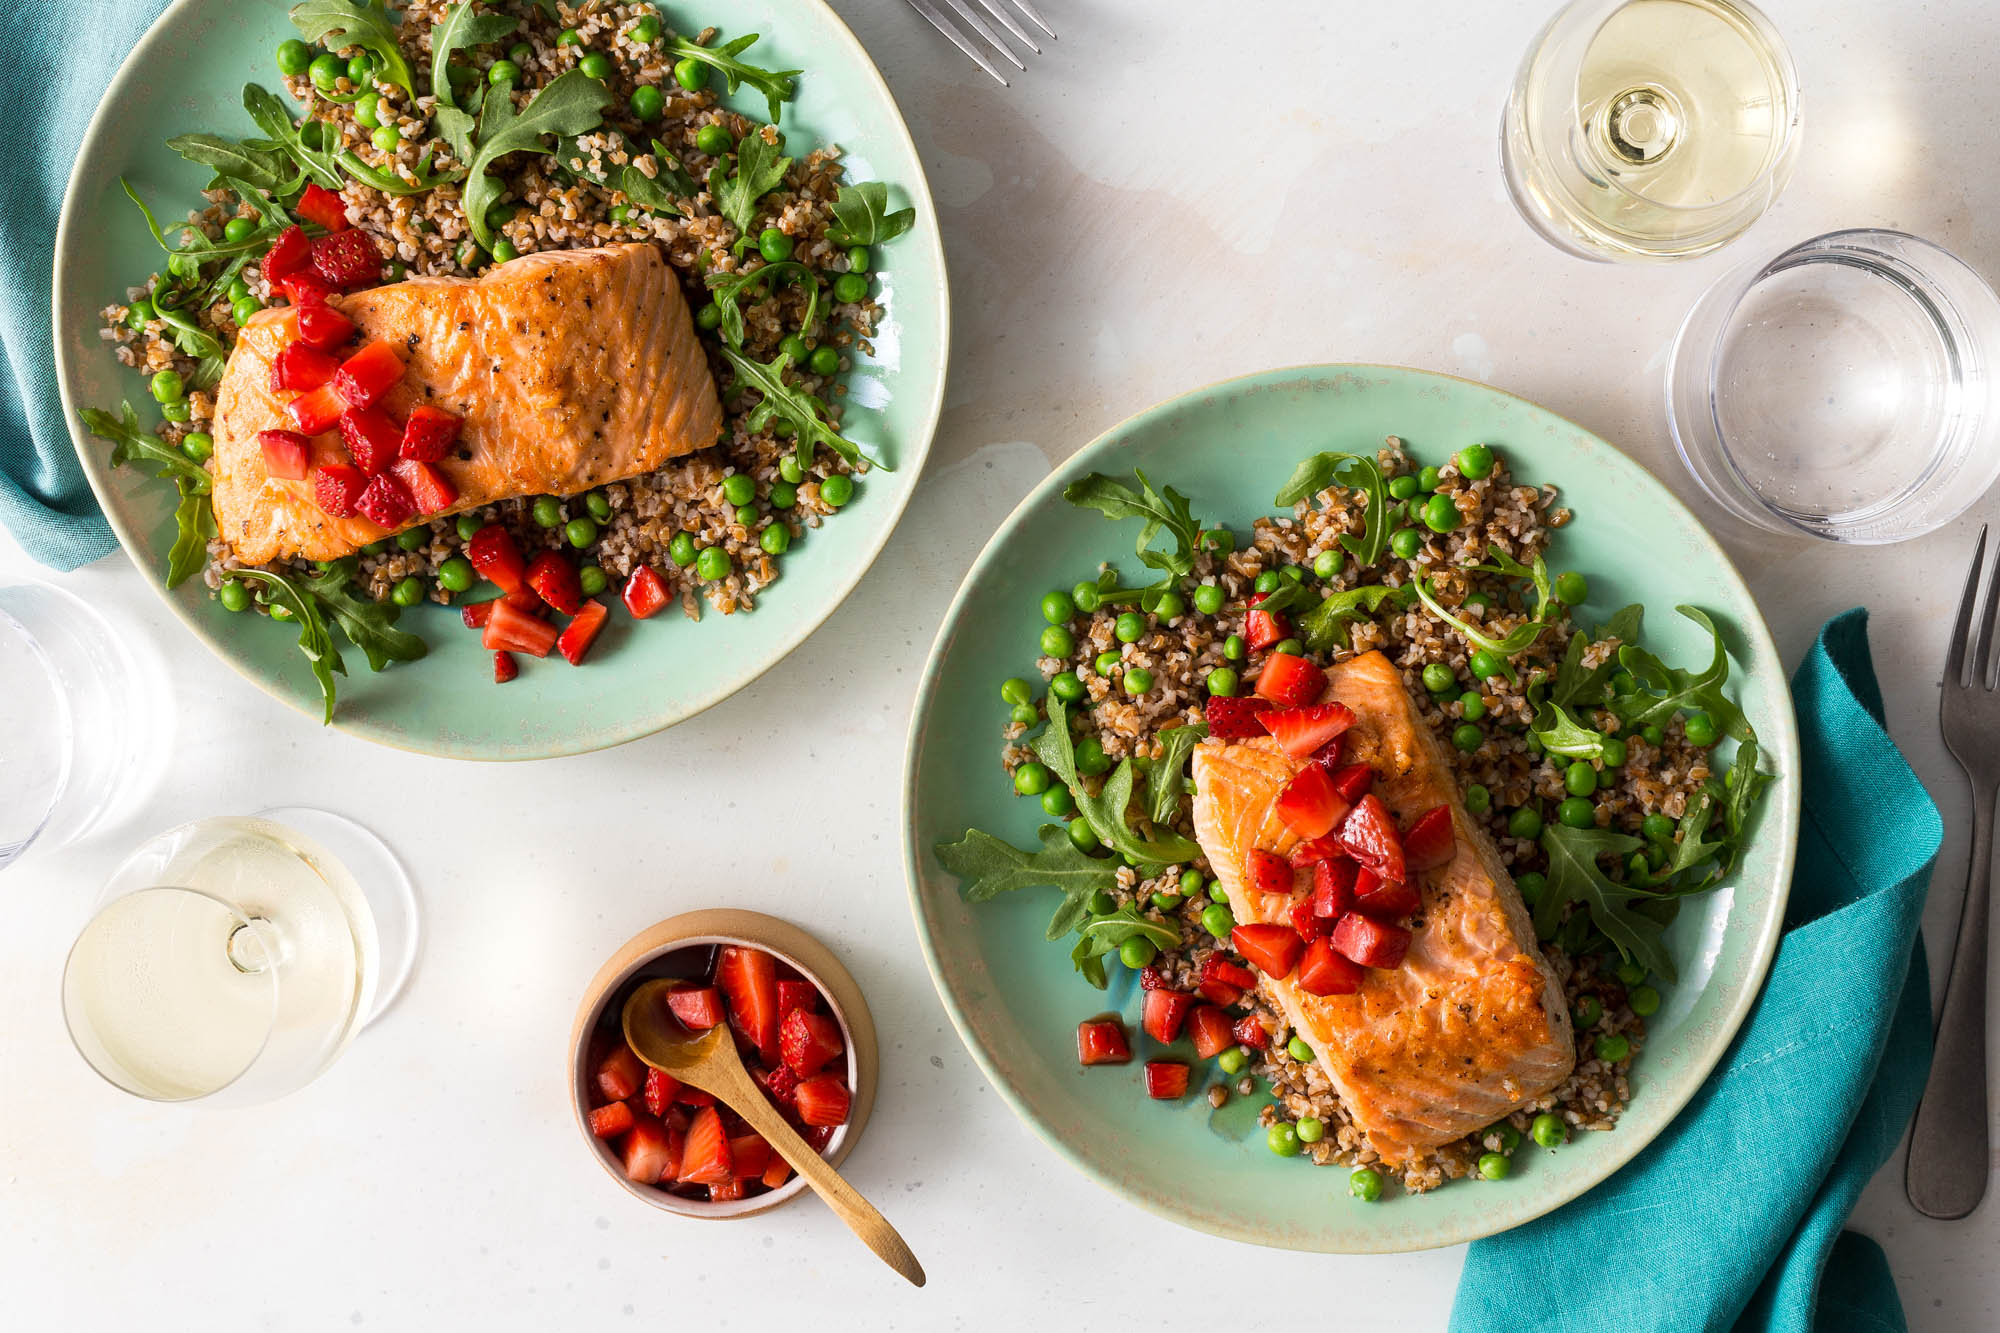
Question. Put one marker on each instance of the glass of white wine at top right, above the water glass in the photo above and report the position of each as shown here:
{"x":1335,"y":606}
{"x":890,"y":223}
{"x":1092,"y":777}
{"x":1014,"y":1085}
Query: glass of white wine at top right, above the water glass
{"x":1651,"y":129}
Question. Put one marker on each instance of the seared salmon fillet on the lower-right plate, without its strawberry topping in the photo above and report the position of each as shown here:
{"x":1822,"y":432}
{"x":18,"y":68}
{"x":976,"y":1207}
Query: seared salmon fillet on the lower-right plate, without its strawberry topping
{"x":1475,"y":1024}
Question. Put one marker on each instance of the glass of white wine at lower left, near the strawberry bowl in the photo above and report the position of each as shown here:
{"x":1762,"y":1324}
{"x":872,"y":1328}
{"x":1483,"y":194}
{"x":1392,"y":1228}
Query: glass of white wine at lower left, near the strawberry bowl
{"x":233,"y":960}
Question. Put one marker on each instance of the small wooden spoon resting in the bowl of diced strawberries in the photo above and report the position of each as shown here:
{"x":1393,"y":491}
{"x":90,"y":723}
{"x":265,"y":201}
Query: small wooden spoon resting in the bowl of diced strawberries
{"x":711,"y":1064}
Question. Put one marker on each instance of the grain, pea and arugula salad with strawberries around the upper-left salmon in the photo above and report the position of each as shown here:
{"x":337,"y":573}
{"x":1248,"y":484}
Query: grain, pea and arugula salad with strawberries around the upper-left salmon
{"x":455,"y":139}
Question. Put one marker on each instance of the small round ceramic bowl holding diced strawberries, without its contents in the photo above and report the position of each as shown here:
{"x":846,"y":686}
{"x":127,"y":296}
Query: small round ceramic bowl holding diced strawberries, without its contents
{"x":637,"y":962}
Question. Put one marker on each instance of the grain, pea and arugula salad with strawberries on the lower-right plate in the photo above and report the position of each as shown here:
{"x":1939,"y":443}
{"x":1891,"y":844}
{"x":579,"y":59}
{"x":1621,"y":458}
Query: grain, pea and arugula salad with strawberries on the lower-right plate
{"x":1599,"y":784}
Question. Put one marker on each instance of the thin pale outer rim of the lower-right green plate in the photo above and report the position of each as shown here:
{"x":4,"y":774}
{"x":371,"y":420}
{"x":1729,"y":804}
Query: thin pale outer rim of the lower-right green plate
{"x":1641,"y":1124}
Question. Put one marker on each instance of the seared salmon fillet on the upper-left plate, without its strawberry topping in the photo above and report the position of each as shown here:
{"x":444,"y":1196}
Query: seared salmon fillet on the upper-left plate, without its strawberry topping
{"x":571,"y":369}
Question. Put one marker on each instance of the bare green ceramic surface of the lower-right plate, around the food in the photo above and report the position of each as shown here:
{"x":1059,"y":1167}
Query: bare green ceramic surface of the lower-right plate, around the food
{"x":1015,"y":998}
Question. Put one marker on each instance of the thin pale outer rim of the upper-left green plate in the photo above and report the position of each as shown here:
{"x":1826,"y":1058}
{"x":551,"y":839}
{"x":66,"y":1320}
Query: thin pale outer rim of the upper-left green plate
{"x":915,"y":445}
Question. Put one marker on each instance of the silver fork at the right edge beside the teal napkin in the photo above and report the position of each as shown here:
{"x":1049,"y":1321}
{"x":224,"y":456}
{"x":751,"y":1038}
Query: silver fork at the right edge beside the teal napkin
{"x":1949,"y":1160}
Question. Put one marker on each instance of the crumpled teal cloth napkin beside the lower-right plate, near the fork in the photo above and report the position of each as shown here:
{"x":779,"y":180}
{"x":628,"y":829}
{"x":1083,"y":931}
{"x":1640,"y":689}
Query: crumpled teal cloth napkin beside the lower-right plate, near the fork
{"x":1733,"y":1218}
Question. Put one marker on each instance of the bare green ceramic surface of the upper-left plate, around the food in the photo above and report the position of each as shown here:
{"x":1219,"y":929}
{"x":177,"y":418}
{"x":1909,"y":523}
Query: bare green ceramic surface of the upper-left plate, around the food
{"x":187,"y":75}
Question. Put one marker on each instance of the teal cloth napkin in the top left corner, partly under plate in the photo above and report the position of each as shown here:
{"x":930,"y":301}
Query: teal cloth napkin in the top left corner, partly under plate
{"x":61,"y":57}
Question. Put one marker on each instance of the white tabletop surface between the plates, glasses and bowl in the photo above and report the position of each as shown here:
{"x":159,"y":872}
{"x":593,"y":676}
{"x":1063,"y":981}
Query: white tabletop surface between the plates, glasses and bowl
{"x":1149,"y":209}
